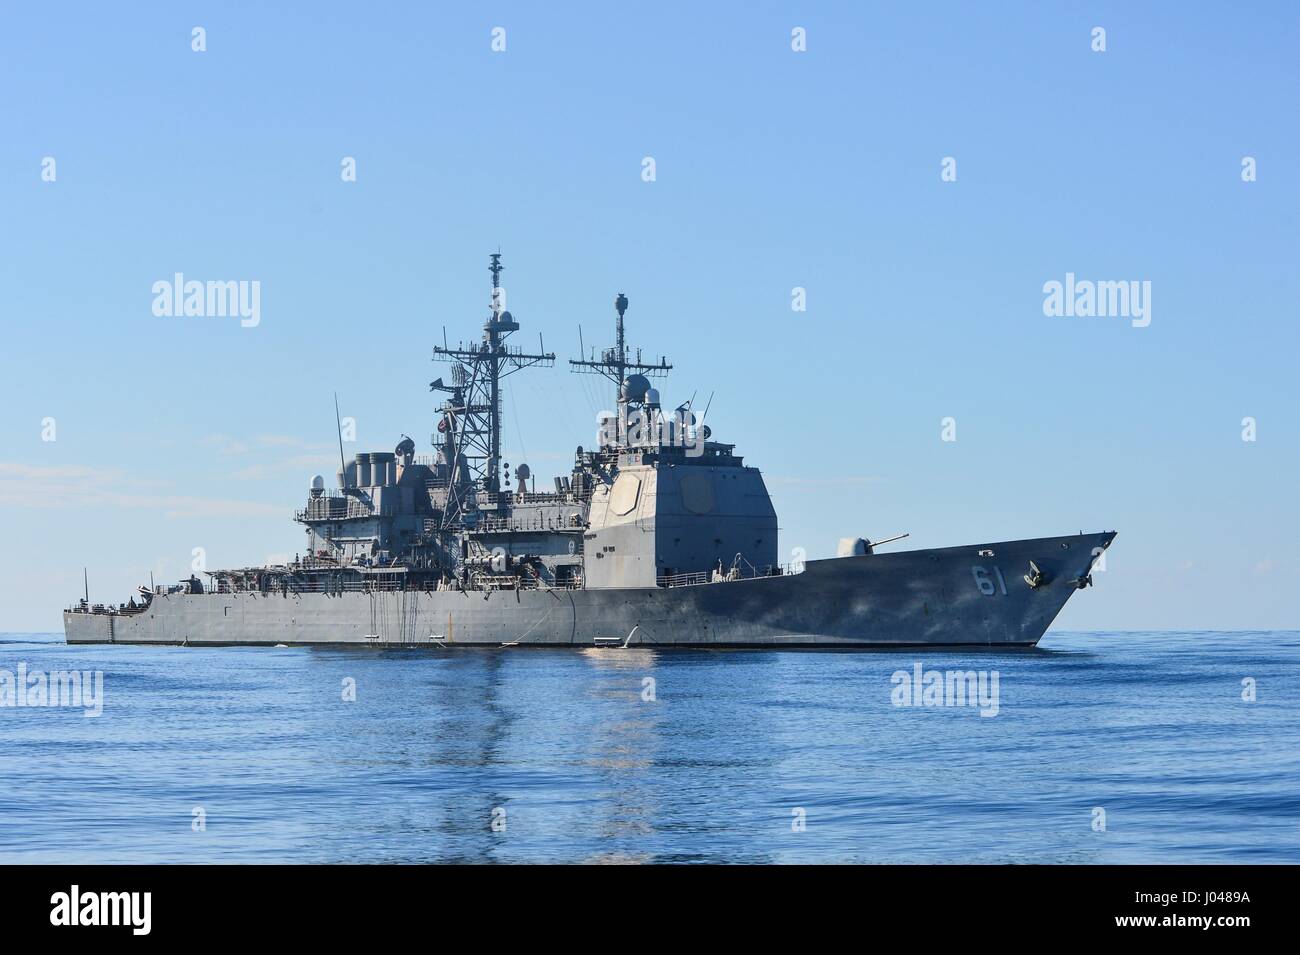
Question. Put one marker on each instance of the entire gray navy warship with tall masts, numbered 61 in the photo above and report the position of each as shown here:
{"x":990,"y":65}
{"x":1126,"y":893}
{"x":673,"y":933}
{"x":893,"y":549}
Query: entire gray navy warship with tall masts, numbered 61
{"x":657,"y":537}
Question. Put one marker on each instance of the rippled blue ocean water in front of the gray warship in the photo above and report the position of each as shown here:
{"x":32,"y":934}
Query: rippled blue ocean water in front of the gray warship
{"x":525,"y":756}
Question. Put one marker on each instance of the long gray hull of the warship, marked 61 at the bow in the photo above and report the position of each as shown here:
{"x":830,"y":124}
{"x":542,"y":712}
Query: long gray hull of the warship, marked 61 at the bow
{"x":974,"y":596}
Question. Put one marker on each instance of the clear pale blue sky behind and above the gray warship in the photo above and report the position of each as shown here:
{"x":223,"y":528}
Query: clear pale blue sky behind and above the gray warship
{"x":775,"y":170}
